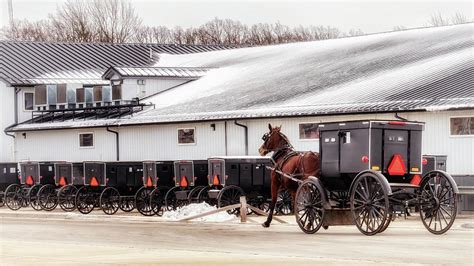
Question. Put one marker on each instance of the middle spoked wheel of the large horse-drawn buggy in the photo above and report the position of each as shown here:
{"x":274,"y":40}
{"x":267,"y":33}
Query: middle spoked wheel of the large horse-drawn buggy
{"x":369,"y":204}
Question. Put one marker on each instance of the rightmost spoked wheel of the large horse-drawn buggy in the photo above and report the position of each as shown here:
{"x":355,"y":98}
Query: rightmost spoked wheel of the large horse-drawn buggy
{"x":437,"y":202}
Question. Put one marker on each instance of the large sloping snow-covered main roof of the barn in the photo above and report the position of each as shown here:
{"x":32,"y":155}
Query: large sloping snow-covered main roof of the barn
{"x":422,"y":69}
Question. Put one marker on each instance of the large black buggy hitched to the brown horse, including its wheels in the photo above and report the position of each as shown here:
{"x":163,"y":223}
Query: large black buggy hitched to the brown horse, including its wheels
{"x":369,"y":171}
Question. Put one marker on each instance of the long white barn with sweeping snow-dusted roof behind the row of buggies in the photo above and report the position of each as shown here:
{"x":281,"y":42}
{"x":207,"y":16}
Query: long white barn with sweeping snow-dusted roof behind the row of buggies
{"x":220,"y":102}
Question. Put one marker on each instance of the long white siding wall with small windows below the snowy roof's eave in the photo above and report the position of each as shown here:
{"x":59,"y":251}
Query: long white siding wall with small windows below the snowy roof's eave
{"x":159,"y":142}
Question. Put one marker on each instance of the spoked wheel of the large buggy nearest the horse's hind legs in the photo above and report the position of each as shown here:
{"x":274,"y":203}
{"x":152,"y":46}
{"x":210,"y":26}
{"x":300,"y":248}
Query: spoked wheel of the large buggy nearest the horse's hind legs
{"x":309,"y":207}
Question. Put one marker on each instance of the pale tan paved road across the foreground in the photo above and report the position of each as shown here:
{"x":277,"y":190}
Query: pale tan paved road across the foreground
{"x":58,"y":238}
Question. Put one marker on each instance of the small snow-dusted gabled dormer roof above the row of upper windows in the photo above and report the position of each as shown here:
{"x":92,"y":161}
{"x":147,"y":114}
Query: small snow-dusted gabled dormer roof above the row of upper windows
{"x":169,"y":72}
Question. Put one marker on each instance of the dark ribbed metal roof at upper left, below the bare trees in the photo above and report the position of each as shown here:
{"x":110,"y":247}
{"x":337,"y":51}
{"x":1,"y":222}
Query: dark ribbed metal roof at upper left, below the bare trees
{"x":26,"y":62}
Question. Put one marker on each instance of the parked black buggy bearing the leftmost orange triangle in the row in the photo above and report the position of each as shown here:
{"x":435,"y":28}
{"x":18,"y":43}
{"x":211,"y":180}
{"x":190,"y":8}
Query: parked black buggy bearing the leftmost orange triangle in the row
{"x":33,"y":175}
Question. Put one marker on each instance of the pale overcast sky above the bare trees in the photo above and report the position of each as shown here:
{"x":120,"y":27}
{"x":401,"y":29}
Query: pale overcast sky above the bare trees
{"x":369,"y":16}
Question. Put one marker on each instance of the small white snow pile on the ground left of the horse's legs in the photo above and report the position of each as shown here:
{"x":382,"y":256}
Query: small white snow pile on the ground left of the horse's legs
{"x":198,"y":208}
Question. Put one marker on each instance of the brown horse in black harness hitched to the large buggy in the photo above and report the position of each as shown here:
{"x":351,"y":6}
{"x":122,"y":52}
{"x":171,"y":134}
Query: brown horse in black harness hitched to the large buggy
{"x":298,"y":164}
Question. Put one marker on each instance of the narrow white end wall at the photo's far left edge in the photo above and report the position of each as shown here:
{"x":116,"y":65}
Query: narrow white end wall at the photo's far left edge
{"x":7,"y":118}
